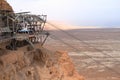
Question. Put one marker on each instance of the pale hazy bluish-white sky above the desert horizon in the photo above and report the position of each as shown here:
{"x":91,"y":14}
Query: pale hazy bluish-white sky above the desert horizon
{"x":77,"y":12}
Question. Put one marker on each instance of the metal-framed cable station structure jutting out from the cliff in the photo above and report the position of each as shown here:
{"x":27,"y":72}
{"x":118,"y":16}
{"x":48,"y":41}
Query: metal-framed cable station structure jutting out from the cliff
{"x":22,"y":28}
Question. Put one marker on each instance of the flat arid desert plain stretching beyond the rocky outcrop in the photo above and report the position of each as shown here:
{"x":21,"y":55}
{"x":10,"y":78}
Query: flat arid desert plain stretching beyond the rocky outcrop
{"x":95,"y":52}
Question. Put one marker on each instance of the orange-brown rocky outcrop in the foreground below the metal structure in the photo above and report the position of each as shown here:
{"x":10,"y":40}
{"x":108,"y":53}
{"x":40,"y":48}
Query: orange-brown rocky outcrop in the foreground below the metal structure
{"x":39,"y":64}
